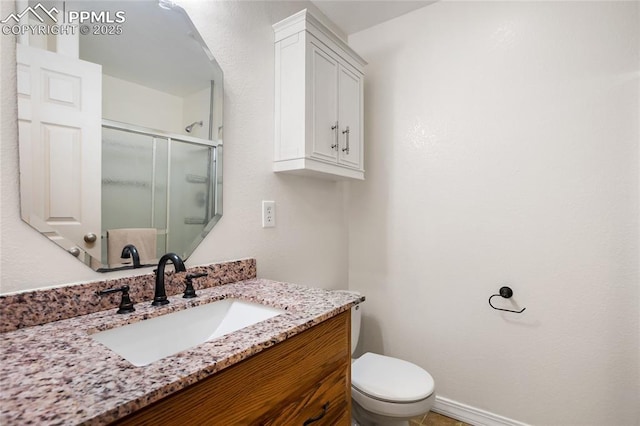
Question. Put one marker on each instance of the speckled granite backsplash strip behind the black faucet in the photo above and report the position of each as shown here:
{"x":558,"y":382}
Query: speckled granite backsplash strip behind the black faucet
{"x":44,"y":306}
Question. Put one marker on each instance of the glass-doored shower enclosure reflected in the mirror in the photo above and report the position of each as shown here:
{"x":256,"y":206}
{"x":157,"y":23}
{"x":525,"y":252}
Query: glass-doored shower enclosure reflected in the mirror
{"x":152,"y":179}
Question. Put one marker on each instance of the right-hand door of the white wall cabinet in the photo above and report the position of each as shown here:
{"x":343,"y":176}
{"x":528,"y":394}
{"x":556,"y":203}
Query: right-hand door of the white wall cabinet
{"x":350,"y":119}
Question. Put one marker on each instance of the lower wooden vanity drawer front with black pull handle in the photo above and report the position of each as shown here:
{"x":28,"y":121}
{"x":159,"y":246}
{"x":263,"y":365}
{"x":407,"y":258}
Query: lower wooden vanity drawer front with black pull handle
{"x":326,"y":403}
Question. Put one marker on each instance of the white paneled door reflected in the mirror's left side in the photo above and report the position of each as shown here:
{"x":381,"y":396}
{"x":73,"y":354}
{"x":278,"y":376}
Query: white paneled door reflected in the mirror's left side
{"x":59,"y":110}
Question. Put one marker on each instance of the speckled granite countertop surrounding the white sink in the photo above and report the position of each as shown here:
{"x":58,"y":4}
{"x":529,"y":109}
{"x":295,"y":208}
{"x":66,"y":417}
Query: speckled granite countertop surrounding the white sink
{"x":56,"y":374}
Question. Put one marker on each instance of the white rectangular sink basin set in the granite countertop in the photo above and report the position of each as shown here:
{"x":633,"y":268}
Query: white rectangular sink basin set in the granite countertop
{"x":144,"y":342}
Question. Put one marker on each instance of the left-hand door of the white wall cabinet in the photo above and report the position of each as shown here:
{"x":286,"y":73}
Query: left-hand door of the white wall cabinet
{"x":324,"y":95}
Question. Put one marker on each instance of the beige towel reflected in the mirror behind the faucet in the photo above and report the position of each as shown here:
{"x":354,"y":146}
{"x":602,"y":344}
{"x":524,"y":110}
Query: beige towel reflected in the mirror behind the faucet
{"x":143,"y":238}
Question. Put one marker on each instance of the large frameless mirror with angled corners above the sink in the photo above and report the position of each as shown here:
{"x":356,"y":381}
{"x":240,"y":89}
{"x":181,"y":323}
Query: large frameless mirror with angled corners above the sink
{"x":120,"y":129}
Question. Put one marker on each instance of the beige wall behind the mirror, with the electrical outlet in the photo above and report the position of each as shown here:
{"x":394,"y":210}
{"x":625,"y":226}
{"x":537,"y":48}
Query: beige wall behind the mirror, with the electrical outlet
{"x":309,"y":244}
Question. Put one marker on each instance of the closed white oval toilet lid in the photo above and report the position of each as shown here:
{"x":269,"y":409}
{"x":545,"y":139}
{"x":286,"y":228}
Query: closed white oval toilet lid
{"x":390,"y":379}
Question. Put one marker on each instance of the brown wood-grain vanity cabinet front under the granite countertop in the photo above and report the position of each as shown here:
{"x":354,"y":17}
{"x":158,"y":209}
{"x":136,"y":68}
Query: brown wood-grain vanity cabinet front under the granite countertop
{"x":288,"y":384}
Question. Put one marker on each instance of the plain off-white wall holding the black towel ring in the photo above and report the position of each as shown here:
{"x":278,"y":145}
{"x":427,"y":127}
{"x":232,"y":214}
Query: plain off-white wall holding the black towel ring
{"x":502,"y":148}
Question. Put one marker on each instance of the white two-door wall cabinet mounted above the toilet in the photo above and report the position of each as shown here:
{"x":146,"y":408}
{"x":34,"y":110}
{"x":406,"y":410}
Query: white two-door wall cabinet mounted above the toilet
{"x":319,"y":101}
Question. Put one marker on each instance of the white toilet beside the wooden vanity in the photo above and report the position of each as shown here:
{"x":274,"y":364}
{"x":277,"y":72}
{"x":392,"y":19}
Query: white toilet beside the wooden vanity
{"x":385,"y":390}
